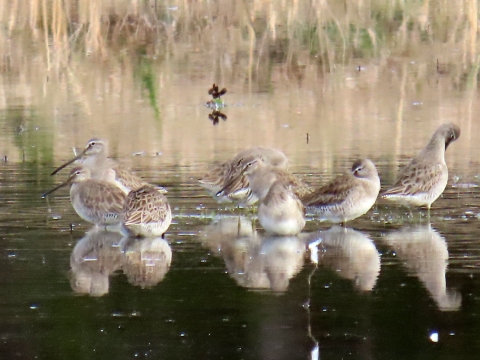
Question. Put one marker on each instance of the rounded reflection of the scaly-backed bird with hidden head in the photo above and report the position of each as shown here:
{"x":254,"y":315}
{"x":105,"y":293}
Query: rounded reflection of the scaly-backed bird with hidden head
{"x":146,"y":261}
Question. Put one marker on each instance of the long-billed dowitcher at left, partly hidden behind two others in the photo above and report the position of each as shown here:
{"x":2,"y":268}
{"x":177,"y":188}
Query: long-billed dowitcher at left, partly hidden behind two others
{"x":95,"y":158}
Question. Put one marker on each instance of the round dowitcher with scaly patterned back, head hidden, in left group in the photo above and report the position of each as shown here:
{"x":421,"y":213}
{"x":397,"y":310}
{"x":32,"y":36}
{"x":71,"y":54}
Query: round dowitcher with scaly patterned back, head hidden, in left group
{"x":147,"y":212}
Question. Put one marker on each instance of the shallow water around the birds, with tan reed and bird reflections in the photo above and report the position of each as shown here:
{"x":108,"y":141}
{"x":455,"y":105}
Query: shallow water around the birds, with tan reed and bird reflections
{"x":393,"y":285}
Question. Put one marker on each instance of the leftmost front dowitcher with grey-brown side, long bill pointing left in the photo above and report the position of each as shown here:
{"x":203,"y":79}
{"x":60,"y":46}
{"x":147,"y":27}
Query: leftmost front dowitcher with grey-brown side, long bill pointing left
{"x":96,"y":201}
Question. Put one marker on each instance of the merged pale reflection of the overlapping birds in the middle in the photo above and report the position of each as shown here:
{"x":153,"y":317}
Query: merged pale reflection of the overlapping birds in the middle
{"x":254,"y":262}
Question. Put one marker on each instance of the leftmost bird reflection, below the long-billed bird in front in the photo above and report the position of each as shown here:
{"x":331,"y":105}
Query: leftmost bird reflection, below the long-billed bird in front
{"x":93,"y":259}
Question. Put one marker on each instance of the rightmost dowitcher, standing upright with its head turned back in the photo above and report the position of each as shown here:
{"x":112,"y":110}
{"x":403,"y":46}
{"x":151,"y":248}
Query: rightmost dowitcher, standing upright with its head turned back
{"x":425,"y":177}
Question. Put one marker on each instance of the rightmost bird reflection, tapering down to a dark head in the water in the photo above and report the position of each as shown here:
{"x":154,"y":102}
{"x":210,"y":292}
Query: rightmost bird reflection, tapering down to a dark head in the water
{"x":424,"y":253}
